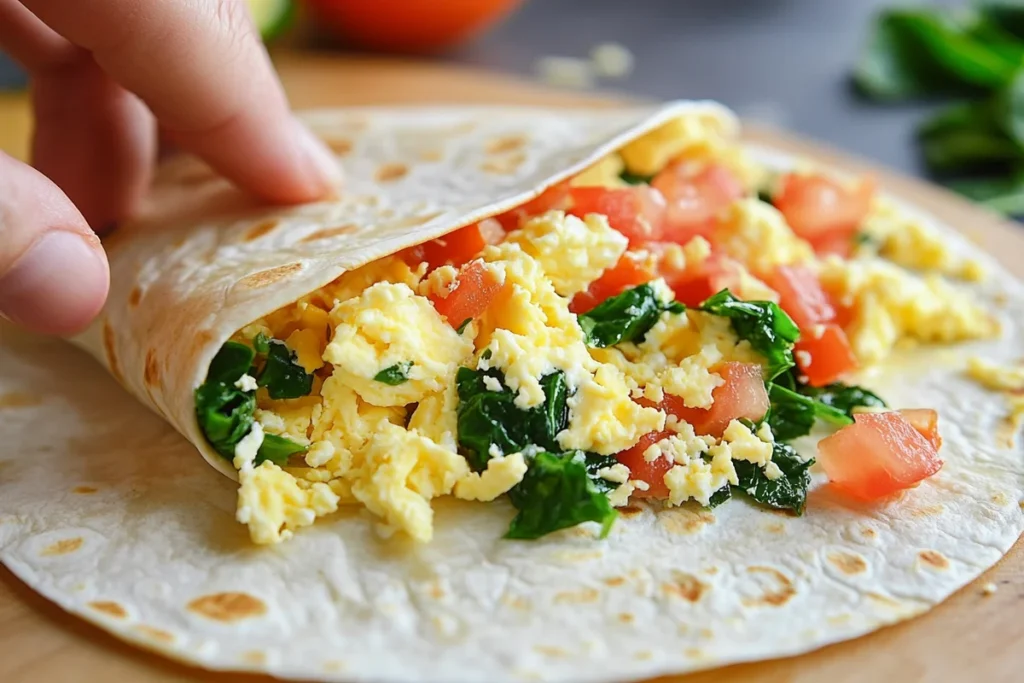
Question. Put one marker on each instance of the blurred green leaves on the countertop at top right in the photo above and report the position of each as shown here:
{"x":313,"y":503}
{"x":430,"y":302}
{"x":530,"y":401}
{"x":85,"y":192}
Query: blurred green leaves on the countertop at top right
{"x":975,"y":55}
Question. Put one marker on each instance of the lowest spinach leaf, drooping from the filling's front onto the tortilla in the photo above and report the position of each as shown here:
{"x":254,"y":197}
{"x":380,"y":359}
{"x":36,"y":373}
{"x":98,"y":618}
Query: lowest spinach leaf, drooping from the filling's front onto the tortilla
{"x":558,"y":493}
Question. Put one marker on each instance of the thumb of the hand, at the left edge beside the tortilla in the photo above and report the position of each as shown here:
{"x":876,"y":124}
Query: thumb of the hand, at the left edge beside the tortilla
{"x":54,"y":273}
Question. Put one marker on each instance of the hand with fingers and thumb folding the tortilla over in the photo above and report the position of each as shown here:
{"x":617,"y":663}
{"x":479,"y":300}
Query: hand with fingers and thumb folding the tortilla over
{"x":105,"y":75}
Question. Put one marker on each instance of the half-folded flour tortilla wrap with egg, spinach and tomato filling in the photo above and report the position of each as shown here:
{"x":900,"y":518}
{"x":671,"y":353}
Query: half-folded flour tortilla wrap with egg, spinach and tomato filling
{"x":561,"y":395}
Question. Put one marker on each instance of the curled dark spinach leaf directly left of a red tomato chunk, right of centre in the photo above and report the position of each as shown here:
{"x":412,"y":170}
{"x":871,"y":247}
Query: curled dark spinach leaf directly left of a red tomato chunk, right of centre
{"x":763,"y":324}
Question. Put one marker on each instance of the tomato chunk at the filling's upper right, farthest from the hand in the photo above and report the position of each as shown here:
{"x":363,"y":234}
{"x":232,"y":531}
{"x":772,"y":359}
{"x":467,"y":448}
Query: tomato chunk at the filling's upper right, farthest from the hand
{"x":823,"y":210}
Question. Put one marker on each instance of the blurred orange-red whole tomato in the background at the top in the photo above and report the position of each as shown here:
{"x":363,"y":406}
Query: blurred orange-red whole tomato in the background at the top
{"x":409,"y":26}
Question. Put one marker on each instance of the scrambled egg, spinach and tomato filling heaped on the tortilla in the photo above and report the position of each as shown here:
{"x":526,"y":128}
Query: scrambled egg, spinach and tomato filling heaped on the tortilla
{"x":589,"y":356}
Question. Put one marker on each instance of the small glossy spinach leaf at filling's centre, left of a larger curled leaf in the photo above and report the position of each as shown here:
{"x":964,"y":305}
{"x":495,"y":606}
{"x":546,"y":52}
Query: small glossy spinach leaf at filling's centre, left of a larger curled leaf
{"x":625,"y":318}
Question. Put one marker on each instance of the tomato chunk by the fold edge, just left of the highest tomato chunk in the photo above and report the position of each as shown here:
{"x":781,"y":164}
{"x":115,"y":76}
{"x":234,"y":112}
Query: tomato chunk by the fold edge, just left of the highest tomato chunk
{"x":636,"y":212}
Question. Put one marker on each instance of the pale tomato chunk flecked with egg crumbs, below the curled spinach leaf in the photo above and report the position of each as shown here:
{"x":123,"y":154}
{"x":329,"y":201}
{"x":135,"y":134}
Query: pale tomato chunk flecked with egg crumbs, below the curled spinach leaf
{"x":742,"y":397}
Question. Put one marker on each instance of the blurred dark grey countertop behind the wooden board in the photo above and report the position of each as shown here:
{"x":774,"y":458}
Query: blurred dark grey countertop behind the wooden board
{"x":784,"y":62}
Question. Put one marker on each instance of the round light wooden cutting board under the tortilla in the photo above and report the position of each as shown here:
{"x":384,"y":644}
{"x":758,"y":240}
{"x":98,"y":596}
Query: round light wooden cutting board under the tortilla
{"x":971,"y":636}
